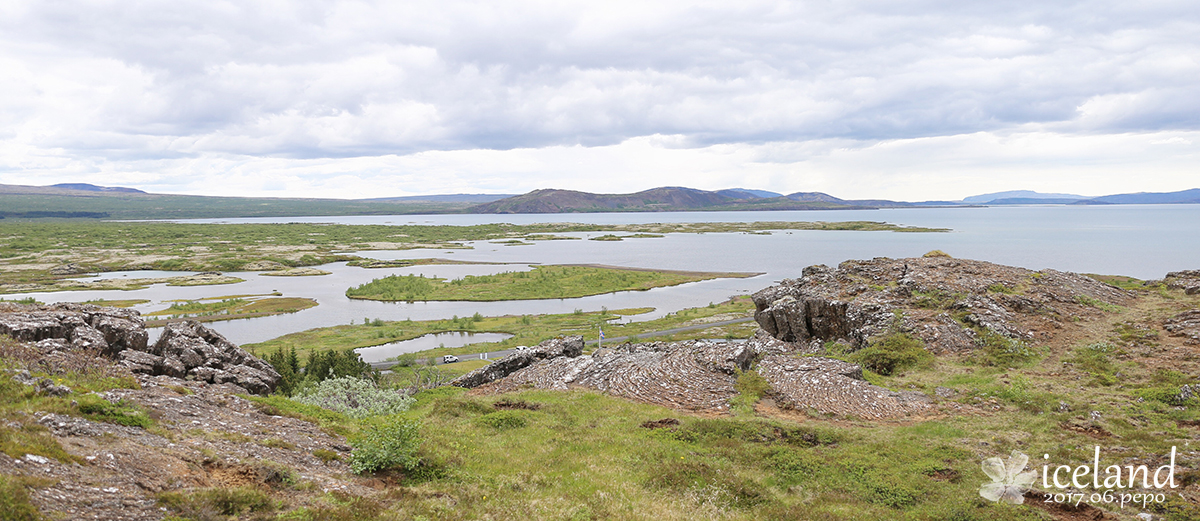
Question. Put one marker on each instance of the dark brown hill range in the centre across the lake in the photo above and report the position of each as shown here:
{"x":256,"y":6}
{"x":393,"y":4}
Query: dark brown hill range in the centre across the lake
{"x":668,"y":199}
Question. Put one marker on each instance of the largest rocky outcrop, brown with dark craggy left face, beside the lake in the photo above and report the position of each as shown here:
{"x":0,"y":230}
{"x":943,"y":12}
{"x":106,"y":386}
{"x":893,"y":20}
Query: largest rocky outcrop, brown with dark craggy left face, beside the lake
{"x":947,"y":303}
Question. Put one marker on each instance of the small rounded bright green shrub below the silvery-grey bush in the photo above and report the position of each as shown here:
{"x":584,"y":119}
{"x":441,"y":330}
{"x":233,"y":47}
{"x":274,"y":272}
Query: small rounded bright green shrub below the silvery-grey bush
{"x":387,"y":444}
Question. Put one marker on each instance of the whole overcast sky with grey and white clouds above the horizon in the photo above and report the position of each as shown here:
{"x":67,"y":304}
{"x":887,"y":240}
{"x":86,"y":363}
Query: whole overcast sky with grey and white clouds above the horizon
{"x":914,"y":100}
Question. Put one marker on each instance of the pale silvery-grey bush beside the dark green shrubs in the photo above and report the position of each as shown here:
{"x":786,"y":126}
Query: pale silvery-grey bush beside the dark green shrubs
{"x":356,"y":398}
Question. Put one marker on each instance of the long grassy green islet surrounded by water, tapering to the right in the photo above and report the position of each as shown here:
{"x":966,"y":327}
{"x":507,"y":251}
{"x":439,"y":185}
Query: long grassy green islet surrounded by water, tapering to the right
{"x":544,"y":283}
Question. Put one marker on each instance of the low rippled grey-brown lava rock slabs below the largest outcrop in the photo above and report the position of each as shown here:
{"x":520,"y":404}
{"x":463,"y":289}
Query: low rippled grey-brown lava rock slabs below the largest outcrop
{"x":701,"y":376}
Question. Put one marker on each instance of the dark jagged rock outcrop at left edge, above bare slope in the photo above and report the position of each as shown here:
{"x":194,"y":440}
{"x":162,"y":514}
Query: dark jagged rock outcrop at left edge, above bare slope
{"x":185,"y":350}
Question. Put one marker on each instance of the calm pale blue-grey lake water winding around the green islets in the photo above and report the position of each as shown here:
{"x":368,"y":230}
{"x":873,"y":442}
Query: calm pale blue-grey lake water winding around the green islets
{"x":1144,"y":242}
